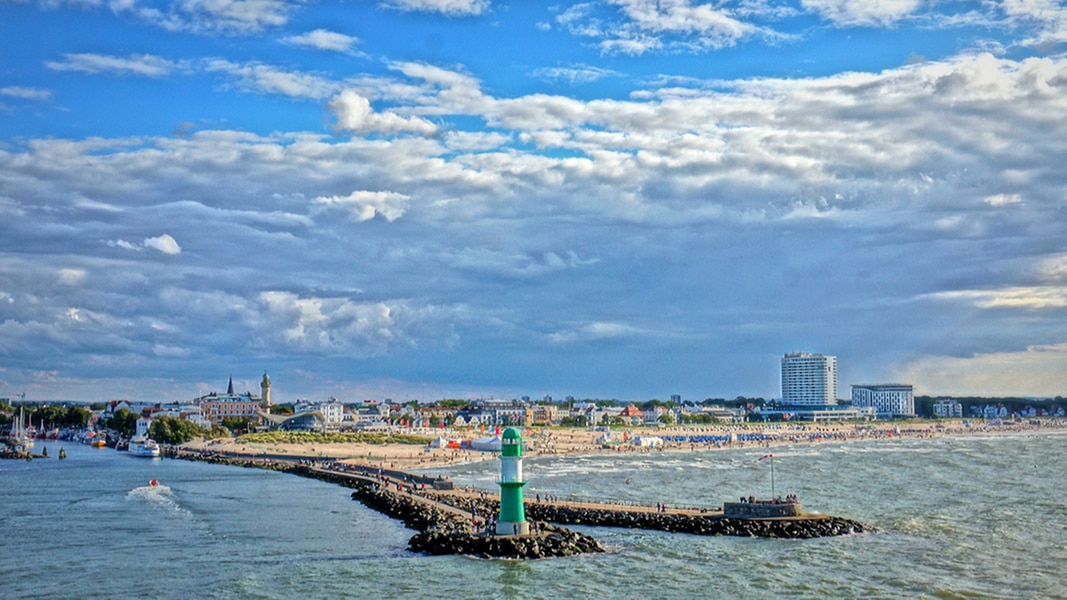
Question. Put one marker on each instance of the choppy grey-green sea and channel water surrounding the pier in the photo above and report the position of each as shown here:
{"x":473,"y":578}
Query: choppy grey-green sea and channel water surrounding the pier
{"x":975,"y":517}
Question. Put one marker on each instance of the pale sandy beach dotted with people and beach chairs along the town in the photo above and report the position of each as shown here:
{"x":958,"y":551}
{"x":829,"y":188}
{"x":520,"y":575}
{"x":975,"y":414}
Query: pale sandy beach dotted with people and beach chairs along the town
{"x":572,"y":443}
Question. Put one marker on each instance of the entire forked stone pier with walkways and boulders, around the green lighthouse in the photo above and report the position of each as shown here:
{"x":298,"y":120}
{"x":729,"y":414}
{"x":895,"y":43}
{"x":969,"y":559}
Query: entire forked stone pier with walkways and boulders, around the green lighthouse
{"x":452,"y":520}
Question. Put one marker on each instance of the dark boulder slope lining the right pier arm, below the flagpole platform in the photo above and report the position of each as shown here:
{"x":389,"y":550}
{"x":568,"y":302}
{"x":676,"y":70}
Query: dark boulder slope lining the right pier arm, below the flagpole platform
{"x":794,"y":528}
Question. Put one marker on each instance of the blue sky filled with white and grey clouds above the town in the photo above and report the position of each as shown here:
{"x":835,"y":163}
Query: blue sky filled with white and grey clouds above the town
{"x":607,"y":199}
